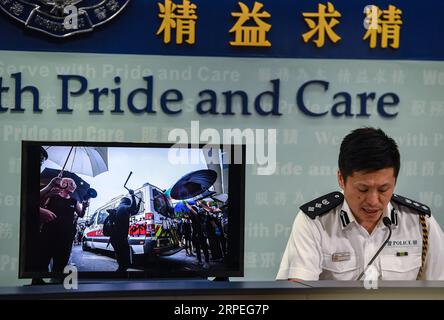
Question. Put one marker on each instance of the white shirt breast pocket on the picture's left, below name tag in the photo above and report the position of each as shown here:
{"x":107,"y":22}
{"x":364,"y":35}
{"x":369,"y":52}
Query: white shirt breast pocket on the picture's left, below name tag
{"x":338,"y":270}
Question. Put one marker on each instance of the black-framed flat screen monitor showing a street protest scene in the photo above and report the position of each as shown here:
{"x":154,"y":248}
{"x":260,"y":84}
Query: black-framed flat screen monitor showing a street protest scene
{"x":169,"y":211}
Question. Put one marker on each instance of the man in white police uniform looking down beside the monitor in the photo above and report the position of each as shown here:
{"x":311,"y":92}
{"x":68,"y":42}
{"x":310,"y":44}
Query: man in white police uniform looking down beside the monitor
{"x":341,"y":236}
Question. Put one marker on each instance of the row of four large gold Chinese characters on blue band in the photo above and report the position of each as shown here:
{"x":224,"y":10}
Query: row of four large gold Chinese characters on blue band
{"x":382,"y":27}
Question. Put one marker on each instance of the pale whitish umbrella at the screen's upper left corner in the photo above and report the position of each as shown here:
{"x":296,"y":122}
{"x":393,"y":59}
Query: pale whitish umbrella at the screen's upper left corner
{"x":90,"y":161}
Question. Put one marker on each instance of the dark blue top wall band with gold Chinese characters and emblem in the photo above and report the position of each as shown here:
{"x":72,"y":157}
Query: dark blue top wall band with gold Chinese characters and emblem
{"x":340,"y":29}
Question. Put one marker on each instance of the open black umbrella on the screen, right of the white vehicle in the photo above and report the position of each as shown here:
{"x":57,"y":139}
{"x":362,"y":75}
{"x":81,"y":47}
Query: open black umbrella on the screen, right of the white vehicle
{"x":193,"y":184}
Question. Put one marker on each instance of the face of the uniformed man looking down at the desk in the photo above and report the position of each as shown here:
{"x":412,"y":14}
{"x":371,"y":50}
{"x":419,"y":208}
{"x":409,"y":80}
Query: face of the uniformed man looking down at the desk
{"x":368,"y":193}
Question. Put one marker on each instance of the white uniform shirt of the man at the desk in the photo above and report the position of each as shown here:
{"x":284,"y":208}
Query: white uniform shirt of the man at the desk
{"x":332,"y":247}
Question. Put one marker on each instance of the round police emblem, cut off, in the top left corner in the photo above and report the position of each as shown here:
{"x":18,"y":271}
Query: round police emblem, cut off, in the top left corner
{"x":63,"y":18}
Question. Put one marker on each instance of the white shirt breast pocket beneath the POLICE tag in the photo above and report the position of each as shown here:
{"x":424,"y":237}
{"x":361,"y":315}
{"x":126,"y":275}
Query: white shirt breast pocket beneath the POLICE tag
{"x":400,"y":268}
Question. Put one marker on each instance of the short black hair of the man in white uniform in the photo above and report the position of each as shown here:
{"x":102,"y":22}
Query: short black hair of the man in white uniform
{"x":368,"y":149}
